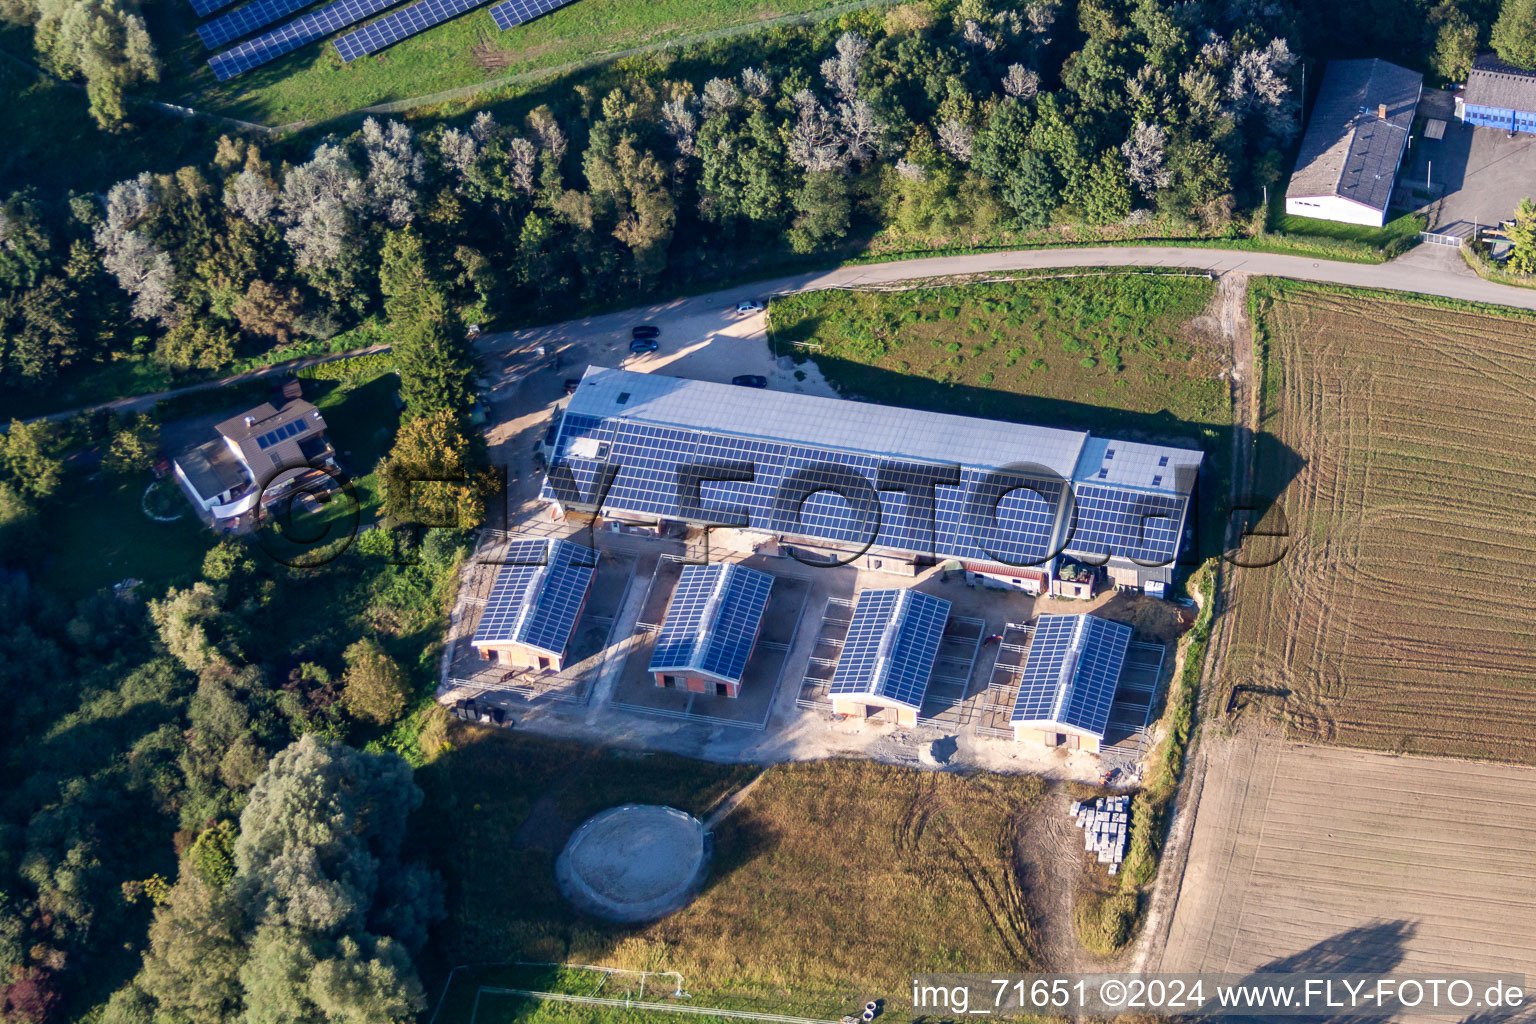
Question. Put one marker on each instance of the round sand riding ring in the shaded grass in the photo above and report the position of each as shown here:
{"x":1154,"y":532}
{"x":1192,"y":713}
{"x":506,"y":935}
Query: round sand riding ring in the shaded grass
{"x":634,"y":864}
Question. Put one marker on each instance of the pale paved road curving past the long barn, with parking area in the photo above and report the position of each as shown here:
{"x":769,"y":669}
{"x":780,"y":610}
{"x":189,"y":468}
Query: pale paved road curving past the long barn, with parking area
{"x":694,"y":323}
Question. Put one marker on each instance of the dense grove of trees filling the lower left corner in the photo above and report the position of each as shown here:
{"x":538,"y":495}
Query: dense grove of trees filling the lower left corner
{"x":170,"y":775}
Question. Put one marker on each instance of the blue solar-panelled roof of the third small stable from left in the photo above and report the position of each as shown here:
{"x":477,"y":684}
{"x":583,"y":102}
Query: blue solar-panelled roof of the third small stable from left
{"x":892,"y":644}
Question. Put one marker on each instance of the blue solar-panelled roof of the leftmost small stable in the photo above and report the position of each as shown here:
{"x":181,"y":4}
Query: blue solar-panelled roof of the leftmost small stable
{"x":538,"y":595}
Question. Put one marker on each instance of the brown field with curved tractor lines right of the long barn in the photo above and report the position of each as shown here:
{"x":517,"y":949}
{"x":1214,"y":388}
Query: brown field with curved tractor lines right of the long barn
{"x":1402,"y":444}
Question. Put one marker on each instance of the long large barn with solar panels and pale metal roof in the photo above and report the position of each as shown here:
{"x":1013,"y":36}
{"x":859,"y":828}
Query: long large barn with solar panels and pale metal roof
{"x":1007,"y":500}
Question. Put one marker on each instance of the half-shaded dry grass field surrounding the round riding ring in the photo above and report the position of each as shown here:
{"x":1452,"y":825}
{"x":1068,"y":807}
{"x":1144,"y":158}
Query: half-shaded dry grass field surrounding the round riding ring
{"x":832,"y":882}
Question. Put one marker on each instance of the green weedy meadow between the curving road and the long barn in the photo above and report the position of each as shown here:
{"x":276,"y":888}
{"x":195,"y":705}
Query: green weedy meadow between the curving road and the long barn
{"x":1116,"y":354}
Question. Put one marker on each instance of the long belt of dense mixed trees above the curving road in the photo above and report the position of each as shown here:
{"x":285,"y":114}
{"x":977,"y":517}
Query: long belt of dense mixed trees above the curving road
{"x":925,"y":121}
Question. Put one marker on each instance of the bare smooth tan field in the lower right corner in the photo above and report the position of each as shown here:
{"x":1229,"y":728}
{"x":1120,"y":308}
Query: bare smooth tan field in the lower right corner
{"x":1328,"y":859}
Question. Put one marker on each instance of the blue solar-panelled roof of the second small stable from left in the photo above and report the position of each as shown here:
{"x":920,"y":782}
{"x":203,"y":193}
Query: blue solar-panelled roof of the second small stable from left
{"x":712,"y":621}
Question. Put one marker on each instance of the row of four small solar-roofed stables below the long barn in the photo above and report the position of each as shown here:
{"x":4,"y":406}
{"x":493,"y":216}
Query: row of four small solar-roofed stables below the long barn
{"x":715,"y":618}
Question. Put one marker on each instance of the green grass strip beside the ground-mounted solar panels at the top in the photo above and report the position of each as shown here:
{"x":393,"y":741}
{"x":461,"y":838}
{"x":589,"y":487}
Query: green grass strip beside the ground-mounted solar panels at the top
{"x":314,"y":84}
